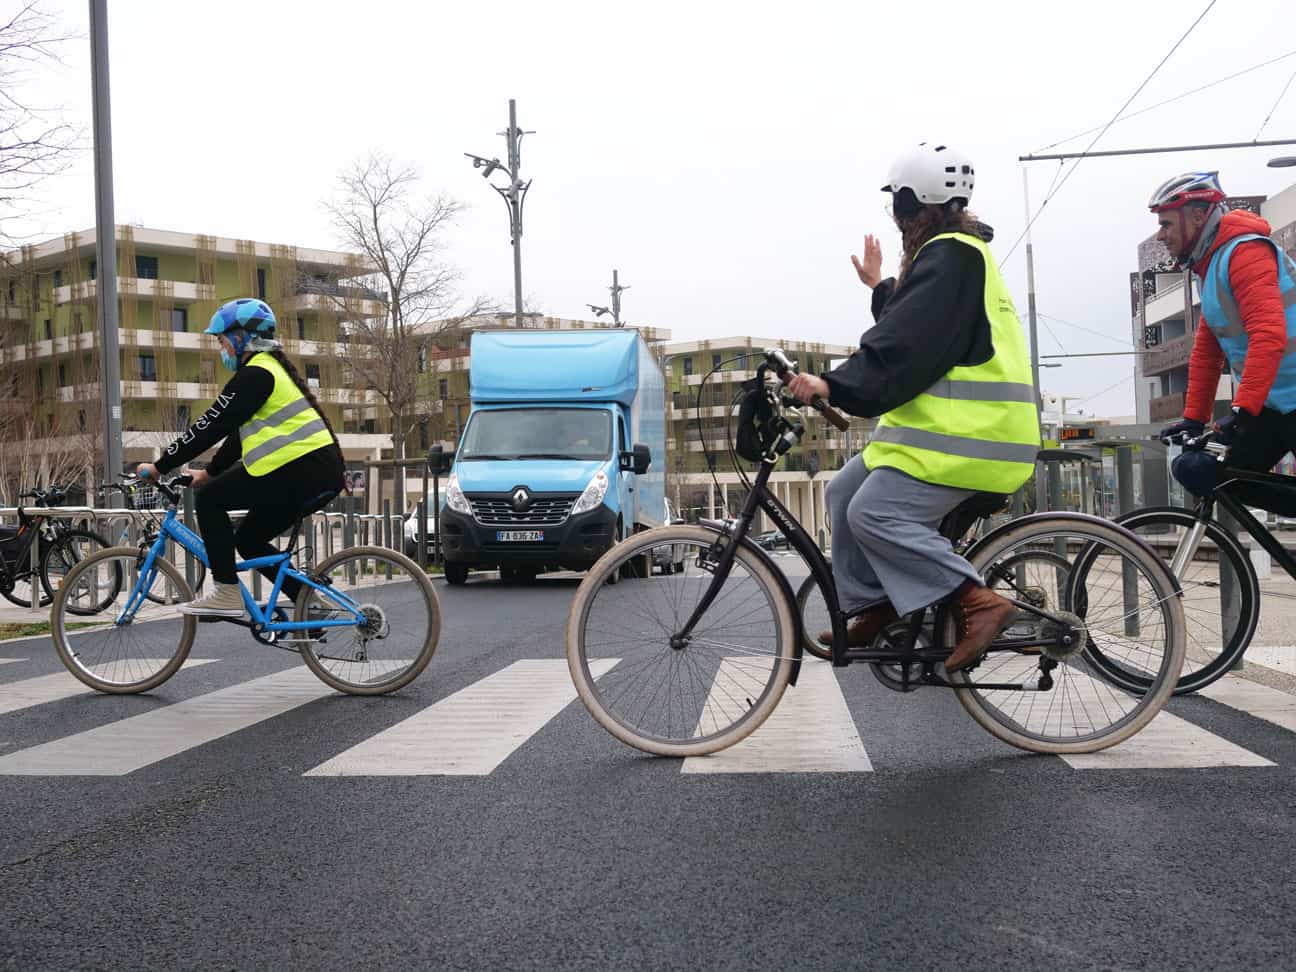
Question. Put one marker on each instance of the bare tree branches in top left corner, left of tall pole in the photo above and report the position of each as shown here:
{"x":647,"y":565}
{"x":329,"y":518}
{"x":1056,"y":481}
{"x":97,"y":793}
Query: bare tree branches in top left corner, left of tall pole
{"x":33,"y":146}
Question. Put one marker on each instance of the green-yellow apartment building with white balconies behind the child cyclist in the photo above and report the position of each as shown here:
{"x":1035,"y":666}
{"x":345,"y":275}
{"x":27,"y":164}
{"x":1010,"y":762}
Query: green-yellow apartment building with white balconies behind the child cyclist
{"x":169,"y":286}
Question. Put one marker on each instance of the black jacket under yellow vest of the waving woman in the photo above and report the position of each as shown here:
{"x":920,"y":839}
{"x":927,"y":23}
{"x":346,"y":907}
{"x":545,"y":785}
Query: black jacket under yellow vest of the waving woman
{"x":931,"y":325}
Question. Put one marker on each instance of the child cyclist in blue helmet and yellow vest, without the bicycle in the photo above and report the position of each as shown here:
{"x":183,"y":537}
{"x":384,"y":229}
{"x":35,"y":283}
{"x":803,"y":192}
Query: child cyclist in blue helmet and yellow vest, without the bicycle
{"x":279,"y":453}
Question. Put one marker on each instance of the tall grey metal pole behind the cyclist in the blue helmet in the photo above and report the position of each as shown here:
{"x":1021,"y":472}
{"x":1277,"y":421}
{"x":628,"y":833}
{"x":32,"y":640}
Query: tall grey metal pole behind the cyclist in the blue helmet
{"x":106,"y":247}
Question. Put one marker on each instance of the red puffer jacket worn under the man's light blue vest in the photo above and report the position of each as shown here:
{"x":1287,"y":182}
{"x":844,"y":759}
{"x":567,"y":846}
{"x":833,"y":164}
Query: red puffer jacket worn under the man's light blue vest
{"x":1254,"y":279}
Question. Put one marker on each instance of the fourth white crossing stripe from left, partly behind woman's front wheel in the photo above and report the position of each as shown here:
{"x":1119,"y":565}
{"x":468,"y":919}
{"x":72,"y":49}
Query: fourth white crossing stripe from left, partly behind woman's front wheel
{"x":809,"y":732}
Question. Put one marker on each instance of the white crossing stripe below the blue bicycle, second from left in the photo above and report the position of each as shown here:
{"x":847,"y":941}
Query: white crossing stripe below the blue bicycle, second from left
{"x":130,"y":745}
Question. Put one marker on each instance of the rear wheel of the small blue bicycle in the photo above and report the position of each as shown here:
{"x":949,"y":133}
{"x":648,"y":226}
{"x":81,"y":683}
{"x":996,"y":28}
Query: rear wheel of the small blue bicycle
{"x":397,"y":621}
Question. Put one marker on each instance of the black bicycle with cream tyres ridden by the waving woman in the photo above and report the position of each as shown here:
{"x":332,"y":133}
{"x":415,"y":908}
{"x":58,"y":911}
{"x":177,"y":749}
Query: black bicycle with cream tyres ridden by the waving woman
{"x":691,"y":663}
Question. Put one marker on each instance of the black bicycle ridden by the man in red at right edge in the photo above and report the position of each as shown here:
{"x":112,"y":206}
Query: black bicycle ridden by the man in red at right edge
{"x":1221,"y":589}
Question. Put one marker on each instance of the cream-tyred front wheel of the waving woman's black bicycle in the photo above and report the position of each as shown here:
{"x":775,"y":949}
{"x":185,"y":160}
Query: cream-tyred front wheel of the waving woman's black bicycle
{"x":673,"y":695}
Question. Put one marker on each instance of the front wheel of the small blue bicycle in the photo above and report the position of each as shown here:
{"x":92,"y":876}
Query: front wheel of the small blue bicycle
{"x":141,"y":647}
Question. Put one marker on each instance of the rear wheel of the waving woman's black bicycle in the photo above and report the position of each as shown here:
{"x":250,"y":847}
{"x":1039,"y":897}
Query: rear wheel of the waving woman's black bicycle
{"x":1039,"y":688}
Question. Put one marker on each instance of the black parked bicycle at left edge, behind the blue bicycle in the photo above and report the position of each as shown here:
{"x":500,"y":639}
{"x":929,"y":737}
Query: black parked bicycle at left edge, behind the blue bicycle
{"x":59,"y":548}
